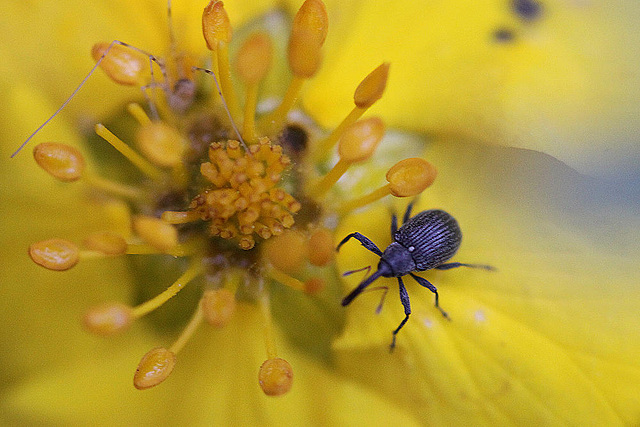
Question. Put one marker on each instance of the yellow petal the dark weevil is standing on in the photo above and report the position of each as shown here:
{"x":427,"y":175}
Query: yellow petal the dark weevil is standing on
{"x":549,"y":338}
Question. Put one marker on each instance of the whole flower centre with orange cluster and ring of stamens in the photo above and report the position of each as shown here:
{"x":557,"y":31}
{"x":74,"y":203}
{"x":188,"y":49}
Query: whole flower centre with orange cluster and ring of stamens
{"x":245,"y":205}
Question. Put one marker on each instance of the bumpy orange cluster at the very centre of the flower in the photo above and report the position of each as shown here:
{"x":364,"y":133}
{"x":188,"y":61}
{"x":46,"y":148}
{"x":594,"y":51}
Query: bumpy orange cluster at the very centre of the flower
{"x":246,"y":199}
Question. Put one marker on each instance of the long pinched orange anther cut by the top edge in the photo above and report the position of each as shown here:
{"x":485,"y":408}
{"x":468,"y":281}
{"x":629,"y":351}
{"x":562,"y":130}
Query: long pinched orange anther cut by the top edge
{"x":309,"y":30}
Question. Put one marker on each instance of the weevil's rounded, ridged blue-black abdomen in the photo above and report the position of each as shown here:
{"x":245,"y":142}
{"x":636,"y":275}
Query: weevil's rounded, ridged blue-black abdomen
{"x":434,"y":235}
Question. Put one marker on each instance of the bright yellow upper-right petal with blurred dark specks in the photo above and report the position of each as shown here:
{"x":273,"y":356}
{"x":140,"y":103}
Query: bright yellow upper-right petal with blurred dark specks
{"x":567,"y":84}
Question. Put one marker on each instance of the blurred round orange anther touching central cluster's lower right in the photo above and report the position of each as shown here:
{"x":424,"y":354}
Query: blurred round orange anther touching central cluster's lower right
{"x":287,"y":252}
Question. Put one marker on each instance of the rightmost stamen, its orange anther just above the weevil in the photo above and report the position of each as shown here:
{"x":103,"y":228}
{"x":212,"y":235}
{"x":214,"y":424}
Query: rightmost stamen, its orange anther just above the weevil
{"x":406,"y":178}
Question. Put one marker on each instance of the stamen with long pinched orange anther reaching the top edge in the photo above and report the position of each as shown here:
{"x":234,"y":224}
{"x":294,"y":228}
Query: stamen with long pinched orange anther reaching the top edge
{"x":308,"y":33}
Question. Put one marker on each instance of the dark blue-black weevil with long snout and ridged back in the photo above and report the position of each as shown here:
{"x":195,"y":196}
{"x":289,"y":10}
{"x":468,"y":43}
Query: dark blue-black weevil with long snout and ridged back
{"x":424,"y":242}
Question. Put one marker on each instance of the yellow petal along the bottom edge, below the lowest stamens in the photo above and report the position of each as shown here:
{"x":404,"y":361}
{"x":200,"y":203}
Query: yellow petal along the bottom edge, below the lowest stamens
{"x":207,"y":383}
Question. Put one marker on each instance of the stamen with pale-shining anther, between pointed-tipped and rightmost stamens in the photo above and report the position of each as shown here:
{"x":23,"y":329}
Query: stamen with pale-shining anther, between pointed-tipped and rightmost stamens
{"x":357,"y":144}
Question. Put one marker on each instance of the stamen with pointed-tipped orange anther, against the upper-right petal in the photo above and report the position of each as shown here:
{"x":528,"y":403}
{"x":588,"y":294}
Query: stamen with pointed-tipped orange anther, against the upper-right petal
{"x":367,"y":93}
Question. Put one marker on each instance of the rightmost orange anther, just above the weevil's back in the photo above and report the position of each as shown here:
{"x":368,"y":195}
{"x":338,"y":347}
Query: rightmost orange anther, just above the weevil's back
{"x":410,"y":177}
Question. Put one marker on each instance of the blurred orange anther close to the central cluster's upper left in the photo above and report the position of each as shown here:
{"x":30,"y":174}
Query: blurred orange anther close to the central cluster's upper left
{"x":161,"y":144}
